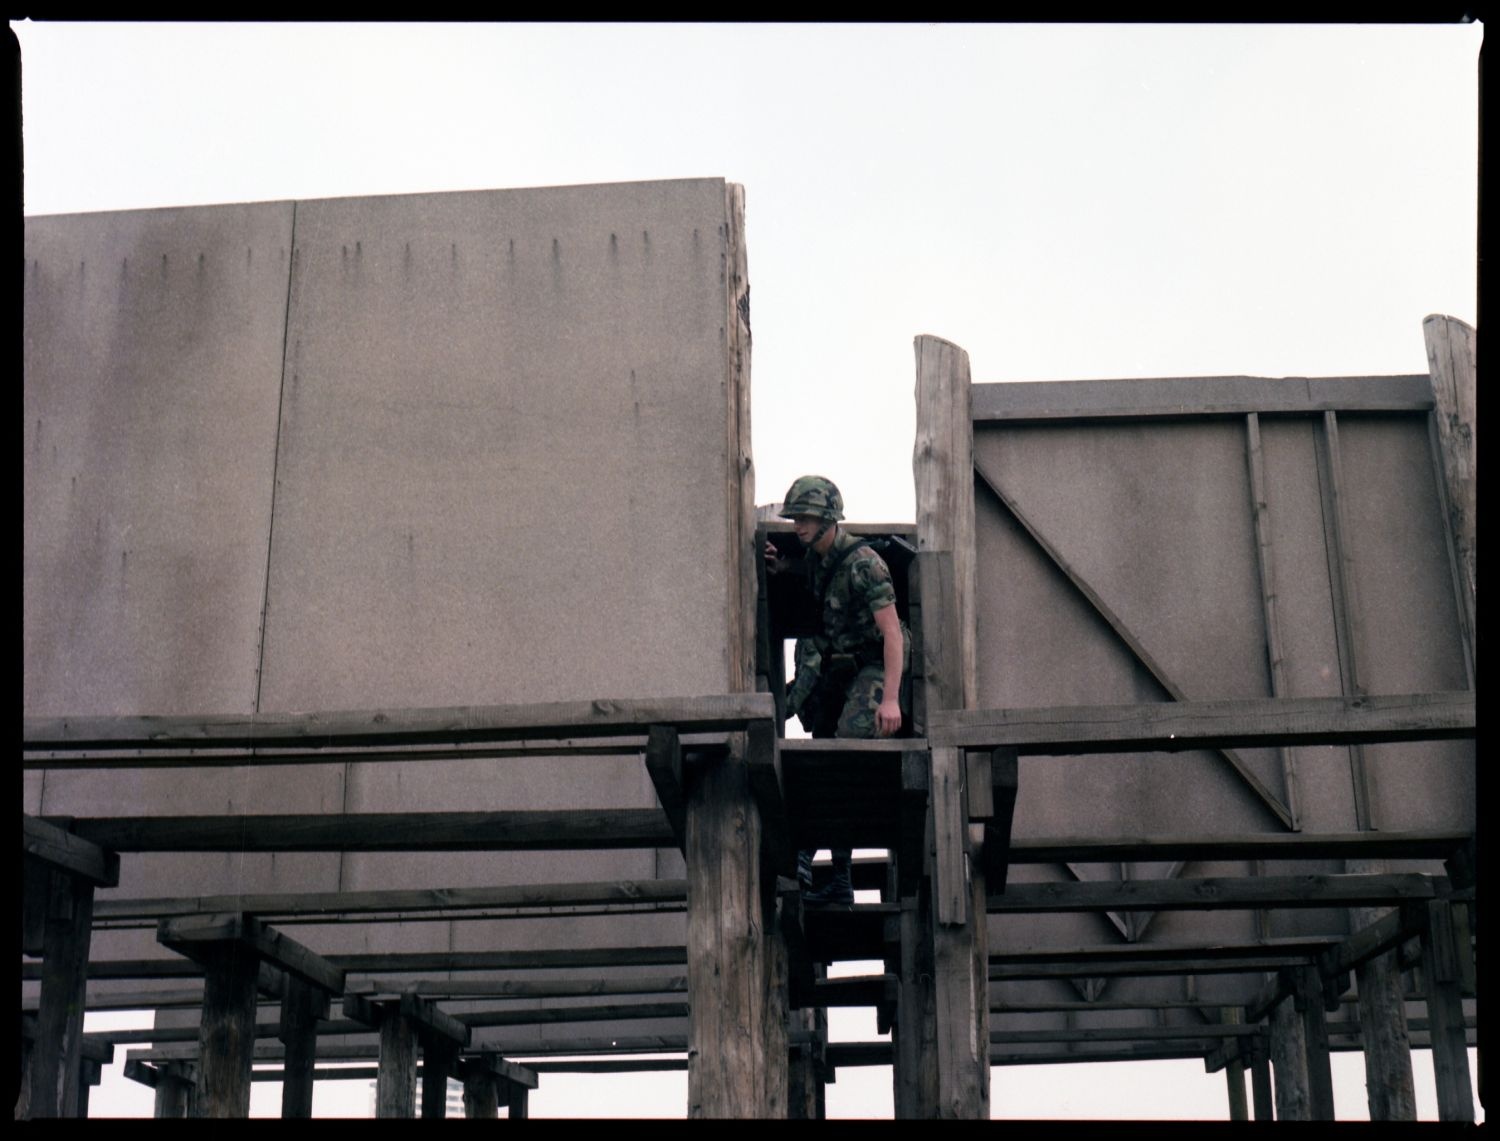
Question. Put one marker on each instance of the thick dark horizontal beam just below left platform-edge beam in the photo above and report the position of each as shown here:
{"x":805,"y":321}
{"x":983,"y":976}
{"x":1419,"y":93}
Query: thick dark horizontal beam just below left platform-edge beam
{"x":512,"y":831}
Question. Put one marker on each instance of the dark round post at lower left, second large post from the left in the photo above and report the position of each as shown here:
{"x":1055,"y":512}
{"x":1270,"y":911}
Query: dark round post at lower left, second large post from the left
{"x":227,"y":1032}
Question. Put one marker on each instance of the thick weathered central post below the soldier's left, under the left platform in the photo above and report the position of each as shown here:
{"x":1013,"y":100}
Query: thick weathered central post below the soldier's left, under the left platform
{"x":727,"y":971}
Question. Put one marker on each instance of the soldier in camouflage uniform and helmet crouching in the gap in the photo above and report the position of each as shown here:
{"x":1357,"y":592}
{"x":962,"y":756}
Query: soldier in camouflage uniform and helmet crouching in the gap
{"x":850,"y":675}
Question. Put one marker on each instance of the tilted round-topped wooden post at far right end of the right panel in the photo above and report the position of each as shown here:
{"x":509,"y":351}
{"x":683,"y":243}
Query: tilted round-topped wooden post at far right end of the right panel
{"x":1451,"y":367}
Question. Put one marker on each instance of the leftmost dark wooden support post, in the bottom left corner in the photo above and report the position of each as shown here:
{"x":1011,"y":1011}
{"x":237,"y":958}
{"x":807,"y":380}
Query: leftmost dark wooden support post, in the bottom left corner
{"x":56,"y":1053}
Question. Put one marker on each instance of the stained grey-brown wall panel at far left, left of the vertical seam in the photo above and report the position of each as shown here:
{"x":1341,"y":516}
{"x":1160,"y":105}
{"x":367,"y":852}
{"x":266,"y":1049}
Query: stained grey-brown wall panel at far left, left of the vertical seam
{"x":152,"y":353}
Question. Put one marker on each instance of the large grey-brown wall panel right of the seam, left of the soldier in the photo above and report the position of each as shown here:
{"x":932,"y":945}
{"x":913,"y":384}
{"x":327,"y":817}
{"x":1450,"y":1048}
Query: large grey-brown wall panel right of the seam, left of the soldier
{"x":491,"y":398}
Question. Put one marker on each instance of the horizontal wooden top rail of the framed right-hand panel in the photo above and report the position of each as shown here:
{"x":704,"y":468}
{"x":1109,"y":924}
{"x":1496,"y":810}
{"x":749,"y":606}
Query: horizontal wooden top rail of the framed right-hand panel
{"x":1195,"y":397}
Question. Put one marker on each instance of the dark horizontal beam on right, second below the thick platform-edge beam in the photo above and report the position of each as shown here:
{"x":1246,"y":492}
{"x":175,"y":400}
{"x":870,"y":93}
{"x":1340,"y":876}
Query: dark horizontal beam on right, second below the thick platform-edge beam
{"x":1216,"y":894}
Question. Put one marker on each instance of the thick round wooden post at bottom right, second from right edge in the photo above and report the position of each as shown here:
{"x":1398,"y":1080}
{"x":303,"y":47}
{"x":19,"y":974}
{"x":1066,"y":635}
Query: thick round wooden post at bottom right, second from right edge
{"x":1382,"y":1019}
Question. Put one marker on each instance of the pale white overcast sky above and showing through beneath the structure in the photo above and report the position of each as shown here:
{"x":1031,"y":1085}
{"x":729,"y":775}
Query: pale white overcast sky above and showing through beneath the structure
{"x":1064,"y":203}
